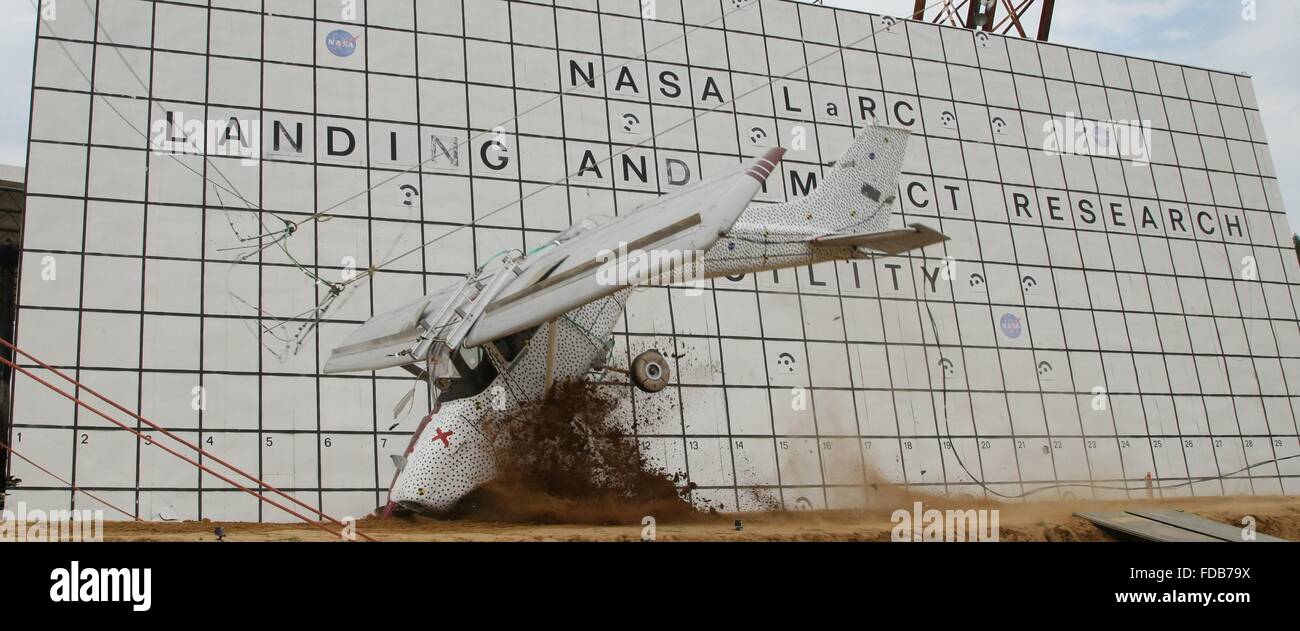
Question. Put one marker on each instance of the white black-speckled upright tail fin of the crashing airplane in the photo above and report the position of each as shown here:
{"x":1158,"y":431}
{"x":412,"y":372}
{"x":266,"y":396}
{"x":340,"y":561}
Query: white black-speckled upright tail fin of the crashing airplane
{"x":857,"y":193}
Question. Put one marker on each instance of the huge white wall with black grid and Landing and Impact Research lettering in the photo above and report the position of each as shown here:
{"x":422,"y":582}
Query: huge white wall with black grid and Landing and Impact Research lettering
{"x":1094,"y":319}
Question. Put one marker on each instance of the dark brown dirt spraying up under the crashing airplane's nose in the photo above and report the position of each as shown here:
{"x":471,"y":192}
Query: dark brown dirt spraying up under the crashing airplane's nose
{"x":566,"y":460}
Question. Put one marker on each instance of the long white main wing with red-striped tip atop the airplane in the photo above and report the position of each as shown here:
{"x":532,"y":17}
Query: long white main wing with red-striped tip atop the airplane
{"x":528,"y":292}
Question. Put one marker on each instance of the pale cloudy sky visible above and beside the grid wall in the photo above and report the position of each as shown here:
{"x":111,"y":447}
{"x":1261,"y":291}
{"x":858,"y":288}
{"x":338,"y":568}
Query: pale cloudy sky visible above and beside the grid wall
{"x":1202,"y":33}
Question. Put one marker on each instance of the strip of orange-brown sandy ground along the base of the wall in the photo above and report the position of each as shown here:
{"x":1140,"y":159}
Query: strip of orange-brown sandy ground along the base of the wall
{"x":1019,"y":522}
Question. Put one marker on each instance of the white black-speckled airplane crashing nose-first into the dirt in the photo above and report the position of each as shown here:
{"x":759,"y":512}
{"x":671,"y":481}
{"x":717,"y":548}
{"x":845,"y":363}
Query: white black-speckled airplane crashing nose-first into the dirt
{"x":473,"y":343}
